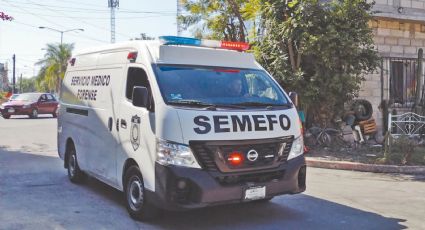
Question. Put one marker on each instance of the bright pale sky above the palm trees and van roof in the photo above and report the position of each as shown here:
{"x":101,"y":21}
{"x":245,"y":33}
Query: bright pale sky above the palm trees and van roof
{"x":23,"y":37}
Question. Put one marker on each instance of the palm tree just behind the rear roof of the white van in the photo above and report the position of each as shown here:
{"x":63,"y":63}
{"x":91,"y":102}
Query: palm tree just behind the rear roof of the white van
{"x":54,"y":65}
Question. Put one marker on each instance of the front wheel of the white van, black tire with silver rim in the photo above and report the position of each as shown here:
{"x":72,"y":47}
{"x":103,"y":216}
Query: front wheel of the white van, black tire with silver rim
{"x":135,"y":199}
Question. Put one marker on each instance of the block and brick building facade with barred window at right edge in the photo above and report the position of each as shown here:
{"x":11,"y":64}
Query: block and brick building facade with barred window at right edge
{"x":399,"y":33}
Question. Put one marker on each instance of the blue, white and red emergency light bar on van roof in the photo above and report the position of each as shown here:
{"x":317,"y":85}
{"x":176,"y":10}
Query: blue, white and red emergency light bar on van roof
{"x":175,"y":40}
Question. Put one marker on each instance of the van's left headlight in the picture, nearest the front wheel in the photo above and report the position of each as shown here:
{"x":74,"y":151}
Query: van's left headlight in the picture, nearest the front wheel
{"x":169,"y":153}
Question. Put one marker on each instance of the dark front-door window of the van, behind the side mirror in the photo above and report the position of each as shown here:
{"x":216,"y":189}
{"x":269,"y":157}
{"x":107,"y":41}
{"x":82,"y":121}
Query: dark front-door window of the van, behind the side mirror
{"x":137,"y":77}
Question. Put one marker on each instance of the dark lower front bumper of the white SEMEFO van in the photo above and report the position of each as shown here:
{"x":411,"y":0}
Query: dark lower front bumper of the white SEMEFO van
{"x":178,"y":188}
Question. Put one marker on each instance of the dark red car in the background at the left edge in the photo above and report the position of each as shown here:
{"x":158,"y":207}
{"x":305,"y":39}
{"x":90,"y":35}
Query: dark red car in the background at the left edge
{"x":30,"y":104}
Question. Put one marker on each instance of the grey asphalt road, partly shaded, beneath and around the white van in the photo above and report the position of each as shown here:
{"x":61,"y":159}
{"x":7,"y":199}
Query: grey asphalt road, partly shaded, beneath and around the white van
{"x":35,"y":194}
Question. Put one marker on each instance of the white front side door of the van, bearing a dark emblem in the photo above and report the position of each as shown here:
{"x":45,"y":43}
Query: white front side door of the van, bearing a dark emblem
{"x":136,"y":128}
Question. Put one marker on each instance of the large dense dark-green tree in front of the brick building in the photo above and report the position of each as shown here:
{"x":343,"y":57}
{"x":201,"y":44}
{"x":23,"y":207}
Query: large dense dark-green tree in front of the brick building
{"x":321,"y":50}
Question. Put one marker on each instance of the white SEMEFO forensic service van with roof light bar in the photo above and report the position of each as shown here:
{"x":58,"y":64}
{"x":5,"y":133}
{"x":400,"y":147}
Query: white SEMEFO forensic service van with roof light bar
{"x":176,"y":124}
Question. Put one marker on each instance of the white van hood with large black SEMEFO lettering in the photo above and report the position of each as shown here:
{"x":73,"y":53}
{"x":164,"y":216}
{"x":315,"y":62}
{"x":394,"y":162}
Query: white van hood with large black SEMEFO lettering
{"x":237,"y":125}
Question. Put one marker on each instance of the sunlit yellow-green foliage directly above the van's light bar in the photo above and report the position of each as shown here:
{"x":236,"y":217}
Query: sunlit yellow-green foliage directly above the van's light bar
{"x":220,"y":19}
